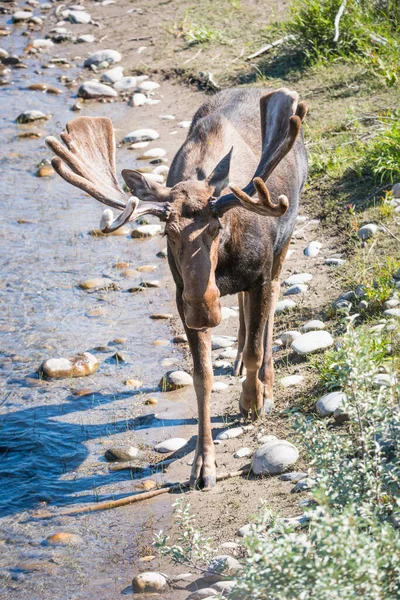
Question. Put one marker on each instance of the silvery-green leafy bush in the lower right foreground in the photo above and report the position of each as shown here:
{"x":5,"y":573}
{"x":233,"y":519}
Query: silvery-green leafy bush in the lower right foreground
{"x":350,"y":547}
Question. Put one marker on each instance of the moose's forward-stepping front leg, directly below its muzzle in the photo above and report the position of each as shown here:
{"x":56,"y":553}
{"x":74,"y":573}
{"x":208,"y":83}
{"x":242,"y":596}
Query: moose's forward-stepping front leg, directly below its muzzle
{"x":204,"y":465}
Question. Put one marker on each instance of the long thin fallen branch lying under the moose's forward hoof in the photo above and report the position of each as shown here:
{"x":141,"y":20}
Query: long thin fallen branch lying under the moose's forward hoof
{"x":165,"y":489}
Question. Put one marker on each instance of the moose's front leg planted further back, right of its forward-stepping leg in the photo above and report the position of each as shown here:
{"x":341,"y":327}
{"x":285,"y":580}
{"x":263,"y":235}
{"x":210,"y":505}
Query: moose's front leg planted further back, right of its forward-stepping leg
{"x":258,"y":306}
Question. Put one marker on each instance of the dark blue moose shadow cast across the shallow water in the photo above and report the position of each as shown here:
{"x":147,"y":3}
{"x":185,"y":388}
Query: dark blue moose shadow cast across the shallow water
{"x":37,"y":452}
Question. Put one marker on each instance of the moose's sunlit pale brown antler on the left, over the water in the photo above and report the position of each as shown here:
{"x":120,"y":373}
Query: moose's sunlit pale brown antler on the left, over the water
{"x":87,"y":161}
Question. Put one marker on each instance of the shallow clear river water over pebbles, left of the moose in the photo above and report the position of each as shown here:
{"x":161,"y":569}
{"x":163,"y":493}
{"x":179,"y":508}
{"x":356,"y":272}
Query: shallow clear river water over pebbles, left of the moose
{"x":52,"y":441}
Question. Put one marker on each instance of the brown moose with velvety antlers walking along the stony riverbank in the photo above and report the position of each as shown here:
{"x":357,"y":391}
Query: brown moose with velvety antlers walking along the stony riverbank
{"x":223,"y":238}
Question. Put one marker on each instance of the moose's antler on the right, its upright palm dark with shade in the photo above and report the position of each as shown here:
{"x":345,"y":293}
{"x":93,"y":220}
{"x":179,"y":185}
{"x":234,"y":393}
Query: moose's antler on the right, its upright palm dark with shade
{"x":281,"y":118}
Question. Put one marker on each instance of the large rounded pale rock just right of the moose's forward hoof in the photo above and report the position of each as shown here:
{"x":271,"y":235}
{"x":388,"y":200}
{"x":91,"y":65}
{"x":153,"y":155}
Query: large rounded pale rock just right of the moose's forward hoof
{"x":274,"y":457}
